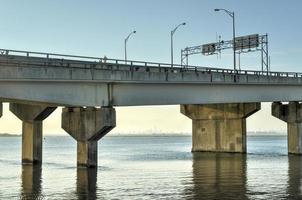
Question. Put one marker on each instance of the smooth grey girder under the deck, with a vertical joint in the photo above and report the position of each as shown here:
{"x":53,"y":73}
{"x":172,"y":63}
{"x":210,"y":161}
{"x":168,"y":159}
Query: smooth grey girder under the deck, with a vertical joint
{"x":96,"y":94}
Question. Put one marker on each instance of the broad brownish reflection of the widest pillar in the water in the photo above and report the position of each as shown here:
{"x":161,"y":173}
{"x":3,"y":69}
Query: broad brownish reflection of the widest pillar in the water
{"x":218,"y":176}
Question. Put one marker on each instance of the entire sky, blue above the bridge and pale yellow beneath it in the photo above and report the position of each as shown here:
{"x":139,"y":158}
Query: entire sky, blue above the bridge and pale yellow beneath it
{"x":98,"y":28}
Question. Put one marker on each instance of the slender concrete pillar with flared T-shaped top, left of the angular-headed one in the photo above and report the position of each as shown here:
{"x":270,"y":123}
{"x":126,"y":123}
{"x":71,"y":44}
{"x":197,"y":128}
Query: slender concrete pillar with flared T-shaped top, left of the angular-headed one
{"x":32,"y":117}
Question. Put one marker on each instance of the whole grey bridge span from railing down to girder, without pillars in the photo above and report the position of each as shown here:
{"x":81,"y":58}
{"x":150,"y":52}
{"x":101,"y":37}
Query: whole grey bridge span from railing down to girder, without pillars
{"x":88,"y":81}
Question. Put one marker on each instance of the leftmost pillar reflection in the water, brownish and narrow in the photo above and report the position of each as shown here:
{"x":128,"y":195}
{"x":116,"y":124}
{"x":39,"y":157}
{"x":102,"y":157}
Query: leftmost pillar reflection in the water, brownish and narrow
{"x":31,"y":182}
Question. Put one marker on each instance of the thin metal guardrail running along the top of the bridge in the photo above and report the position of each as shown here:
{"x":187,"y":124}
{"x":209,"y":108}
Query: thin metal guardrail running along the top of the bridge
{"x":74,"y":59}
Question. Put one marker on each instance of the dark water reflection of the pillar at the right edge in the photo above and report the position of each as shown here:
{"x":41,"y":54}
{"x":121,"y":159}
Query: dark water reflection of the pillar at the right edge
{"x":294,"y":186}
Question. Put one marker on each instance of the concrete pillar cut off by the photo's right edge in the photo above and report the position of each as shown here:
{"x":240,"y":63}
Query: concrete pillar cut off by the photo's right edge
{"x":291,"y":113}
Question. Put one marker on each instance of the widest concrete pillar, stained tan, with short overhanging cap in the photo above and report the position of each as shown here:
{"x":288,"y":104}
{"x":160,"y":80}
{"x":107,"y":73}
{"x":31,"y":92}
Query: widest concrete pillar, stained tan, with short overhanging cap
{"x":219,"y":127}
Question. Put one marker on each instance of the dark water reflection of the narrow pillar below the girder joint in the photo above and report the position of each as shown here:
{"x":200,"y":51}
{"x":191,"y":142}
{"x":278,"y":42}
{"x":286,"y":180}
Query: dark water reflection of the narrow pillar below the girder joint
{"x":86,"y":183}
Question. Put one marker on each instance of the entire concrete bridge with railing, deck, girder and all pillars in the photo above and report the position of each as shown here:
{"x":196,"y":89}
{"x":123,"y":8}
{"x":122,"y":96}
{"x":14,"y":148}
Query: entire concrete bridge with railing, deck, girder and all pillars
{"x":217,"y":100}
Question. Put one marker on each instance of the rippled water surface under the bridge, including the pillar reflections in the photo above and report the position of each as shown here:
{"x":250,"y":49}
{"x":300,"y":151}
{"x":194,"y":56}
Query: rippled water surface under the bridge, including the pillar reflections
{"x":152,"y":168}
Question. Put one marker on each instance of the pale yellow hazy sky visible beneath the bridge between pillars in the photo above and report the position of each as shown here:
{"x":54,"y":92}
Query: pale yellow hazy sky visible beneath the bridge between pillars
{"x":145,"y":120}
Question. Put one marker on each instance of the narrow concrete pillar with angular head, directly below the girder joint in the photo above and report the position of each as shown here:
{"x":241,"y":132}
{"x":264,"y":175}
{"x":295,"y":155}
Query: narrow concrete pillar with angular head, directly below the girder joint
{"x":87,"y":126}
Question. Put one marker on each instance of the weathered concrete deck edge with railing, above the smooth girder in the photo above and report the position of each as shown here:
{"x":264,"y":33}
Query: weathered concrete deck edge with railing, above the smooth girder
{"x":99,"y":68}
